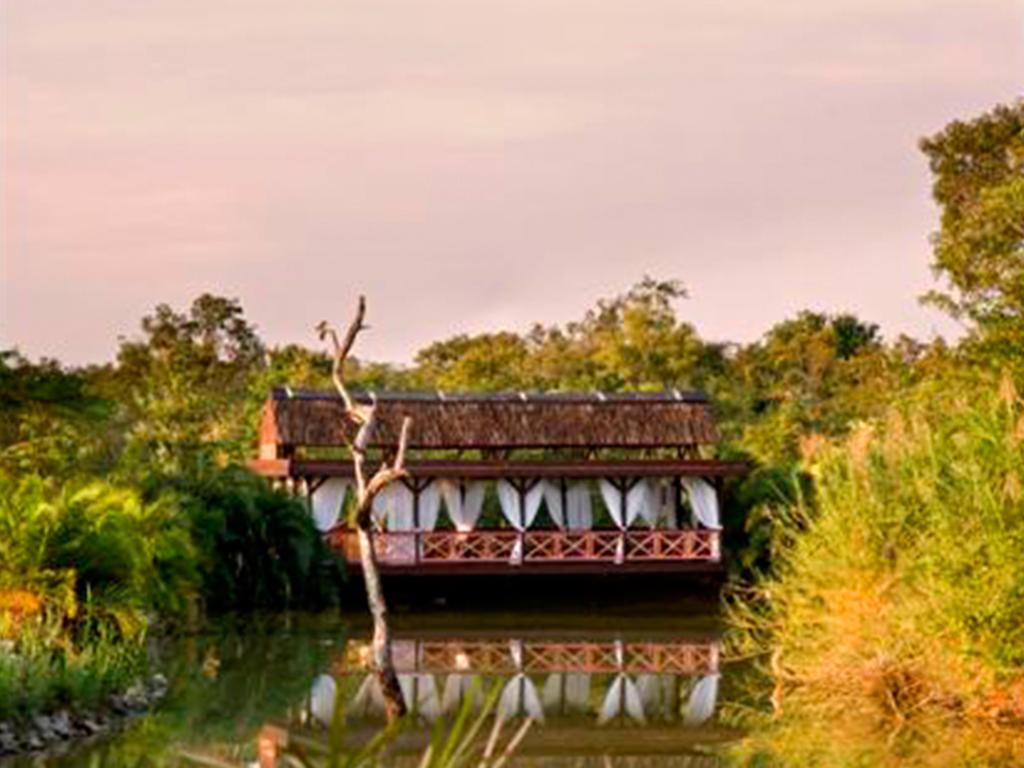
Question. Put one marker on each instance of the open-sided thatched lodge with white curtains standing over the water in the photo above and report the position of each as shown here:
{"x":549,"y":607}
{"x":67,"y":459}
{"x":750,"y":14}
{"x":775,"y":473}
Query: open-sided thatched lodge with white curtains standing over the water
{"x":515,"y":483}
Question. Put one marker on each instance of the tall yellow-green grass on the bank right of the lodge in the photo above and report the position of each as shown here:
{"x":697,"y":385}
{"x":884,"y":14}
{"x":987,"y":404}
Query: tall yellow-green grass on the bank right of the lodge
{"x":898,"y":592}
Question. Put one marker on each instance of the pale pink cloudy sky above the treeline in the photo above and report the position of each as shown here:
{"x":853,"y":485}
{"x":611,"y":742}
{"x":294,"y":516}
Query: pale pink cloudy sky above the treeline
{"x":477,"y":164}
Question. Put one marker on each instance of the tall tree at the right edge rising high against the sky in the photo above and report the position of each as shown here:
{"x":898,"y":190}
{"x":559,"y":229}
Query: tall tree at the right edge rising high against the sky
{"x":978,"y":173}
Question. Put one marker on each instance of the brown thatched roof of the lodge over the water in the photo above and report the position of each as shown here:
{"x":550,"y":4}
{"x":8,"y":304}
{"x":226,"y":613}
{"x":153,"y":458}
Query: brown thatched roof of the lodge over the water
{"x":497,"y":421}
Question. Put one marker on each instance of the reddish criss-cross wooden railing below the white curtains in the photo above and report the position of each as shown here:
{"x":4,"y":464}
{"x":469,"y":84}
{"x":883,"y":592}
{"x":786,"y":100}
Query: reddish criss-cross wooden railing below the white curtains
{"x":416,"y":547}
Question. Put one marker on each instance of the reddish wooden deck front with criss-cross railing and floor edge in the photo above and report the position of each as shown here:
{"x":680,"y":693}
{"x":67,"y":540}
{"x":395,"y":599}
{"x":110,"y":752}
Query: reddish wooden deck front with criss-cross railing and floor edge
{"x":538,"y":551}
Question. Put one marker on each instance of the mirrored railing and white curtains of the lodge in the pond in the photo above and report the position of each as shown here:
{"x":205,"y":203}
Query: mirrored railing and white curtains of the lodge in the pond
{"x":602,"y":684}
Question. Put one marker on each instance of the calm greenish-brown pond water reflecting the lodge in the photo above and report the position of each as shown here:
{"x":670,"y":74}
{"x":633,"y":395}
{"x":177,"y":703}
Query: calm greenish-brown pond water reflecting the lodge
{"x":633,"y":690}
